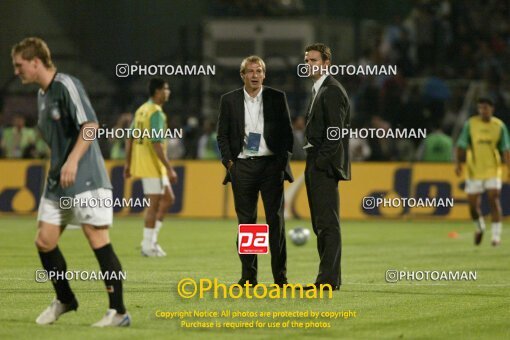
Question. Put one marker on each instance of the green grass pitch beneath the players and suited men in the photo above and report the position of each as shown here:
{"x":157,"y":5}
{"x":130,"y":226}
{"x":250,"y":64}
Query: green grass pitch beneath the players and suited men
{"x":206,"y":249}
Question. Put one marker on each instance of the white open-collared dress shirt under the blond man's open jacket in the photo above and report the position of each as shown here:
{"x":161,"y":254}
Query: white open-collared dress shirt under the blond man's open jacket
{"x":254,"y":122}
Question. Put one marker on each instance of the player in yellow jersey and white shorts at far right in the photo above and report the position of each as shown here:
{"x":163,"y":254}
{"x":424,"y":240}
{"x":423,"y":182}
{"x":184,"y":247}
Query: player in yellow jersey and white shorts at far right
{"x":487,"y":142}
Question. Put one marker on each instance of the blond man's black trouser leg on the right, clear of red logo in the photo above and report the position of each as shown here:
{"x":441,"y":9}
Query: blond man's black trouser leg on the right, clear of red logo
{"x":272,"y":196}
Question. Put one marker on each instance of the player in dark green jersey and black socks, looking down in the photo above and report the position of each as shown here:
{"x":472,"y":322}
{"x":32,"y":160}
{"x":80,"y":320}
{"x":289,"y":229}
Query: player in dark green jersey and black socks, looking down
{"x":76,"y":170}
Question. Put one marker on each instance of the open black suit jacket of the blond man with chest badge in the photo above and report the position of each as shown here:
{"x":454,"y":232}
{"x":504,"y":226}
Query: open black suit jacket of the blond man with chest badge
{"x":277,"y":127}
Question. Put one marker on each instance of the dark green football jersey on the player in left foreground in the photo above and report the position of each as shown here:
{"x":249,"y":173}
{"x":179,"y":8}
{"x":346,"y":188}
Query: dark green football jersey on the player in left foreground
{"x":63,"y":108}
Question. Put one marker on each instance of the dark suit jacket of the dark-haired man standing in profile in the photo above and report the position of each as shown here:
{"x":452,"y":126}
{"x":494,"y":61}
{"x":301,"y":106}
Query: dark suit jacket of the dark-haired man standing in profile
{"x":330,"y":110}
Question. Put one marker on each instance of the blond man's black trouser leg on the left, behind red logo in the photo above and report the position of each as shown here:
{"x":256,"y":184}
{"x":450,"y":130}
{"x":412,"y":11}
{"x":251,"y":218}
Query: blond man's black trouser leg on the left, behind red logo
{"x":245,"y":186}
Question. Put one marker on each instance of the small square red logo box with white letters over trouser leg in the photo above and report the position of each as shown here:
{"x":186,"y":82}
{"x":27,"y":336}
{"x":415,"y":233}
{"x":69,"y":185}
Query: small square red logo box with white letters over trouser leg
{"x":253,"y":239}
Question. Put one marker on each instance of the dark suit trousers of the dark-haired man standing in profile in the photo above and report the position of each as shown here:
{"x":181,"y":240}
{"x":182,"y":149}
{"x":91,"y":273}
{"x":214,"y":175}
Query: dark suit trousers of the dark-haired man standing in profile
{"x":324,"y":202}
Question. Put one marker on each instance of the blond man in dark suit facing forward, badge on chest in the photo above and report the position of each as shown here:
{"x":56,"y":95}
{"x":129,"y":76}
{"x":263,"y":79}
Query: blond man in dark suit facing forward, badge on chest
{"x":255,"y":140}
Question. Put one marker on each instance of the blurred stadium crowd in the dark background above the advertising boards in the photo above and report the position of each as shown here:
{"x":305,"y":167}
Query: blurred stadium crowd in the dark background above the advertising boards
{"x":440,"y":47}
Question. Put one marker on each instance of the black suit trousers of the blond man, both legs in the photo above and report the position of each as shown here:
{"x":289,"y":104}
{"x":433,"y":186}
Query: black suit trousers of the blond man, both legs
{"x":264,"y":175}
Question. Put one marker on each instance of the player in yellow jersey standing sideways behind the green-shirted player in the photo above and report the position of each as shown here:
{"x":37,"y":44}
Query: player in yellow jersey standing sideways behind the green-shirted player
{"x":146,"y":159}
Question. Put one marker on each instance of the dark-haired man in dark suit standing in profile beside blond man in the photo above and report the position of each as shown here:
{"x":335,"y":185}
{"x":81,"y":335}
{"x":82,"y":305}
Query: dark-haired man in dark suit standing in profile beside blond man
{"x":327,"y":161}
